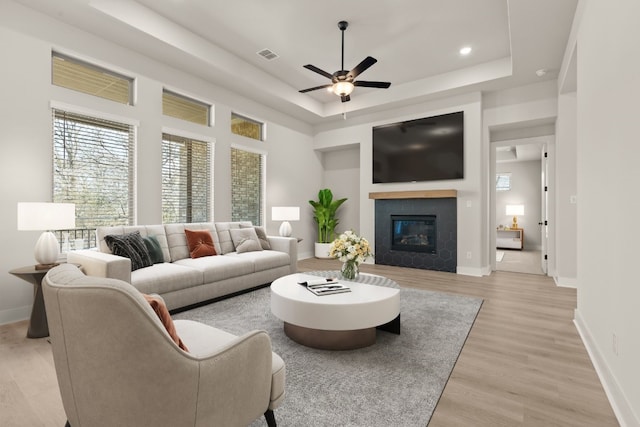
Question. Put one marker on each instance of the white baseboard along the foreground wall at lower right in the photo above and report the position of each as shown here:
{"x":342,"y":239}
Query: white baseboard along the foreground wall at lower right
{"x":620,"y":404}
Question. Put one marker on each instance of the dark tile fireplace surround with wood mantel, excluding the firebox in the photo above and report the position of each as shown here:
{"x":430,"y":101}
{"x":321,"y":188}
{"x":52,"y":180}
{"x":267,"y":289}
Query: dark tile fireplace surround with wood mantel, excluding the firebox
{"x":441,"y":203}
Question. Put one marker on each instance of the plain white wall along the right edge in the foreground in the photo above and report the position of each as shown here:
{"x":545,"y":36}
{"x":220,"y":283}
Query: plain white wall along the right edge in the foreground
{"x":608,"y":90}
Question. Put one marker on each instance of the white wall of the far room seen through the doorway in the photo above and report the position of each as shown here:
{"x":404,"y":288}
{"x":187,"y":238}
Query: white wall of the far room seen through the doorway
{"x":525,"y":190}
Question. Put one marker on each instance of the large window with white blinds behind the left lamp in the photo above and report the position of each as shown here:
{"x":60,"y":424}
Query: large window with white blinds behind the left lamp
{"x":93,"y":167}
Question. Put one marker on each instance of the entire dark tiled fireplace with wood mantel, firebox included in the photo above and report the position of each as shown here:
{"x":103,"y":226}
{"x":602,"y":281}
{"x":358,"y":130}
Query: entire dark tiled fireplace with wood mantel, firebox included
{"x":428,"y":226}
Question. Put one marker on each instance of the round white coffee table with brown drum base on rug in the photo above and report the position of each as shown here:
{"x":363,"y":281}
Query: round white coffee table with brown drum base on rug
{"x":341,"y":321}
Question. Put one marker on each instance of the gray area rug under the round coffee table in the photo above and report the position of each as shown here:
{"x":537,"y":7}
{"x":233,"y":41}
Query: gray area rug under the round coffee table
{"x":396,"y":382}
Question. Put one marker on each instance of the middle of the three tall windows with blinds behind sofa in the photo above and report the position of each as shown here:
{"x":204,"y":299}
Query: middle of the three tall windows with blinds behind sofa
{"x":186,"y":180}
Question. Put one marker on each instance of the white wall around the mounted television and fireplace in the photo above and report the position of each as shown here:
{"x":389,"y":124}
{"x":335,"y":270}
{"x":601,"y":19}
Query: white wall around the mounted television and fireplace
{"x":470,"y":189}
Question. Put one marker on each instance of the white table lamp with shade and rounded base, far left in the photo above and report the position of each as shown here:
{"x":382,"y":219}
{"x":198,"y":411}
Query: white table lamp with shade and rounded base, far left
{"x":36,"y":216}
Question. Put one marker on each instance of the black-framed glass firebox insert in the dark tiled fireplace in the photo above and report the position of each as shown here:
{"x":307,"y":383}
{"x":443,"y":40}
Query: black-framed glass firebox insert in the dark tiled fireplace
{"x":414,"y":233}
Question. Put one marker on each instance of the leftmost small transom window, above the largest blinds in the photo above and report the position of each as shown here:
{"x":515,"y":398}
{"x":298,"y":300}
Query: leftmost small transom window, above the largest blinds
{"x":83,"y":77}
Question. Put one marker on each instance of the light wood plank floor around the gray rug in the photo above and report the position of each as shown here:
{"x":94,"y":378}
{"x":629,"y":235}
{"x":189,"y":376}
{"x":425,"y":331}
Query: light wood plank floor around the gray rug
{"x":523,"y":363}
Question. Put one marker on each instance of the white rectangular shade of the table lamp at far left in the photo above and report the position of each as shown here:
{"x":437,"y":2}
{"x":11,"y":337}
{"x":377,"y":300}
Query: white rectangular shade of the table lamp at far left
{"x":46,"y":216}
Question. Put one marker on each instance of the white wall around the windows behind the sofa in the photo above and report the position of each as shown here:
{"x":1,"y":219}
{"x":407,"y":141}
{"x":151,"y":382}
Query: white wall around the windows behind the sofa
{"x":25,"y":118}
